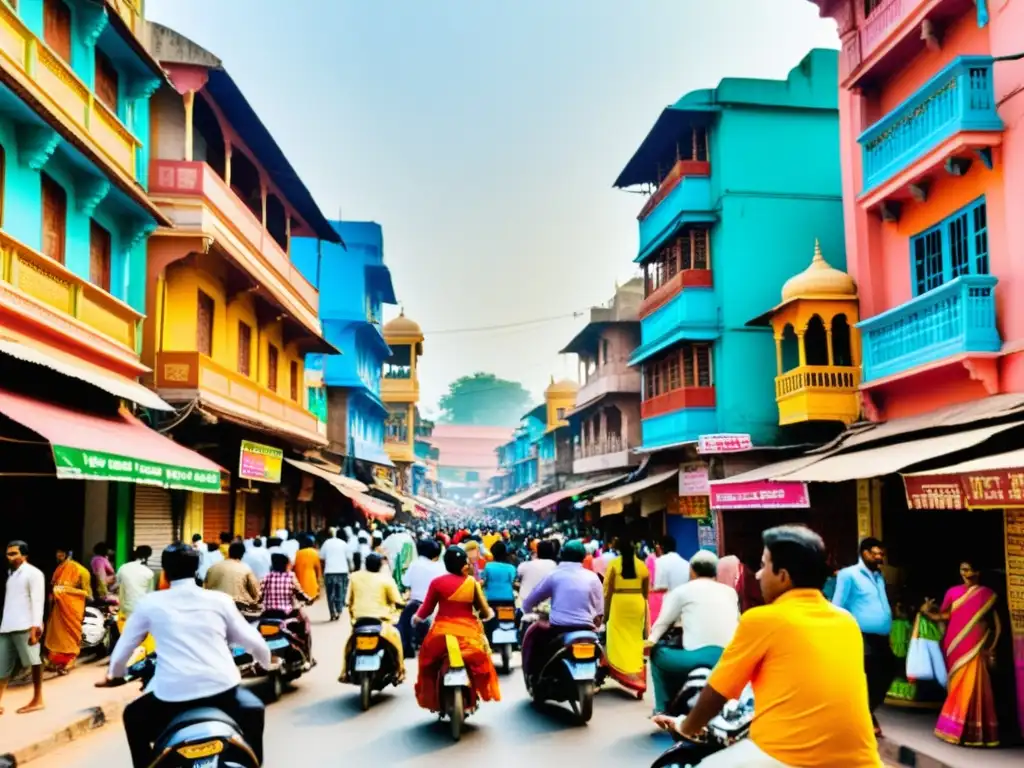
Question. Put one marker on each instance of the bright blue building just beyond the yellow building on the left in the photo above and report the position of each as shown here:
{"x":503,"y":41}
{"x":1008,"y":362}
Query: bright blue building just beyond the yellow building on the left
{"x":355,"y":284}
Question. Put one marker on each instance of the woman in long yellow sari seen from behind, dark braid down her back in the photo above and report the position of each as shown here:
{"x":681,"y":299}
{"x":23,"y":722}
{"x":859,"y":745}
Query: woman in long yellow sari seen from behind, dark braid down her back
{"x":627,"y":585}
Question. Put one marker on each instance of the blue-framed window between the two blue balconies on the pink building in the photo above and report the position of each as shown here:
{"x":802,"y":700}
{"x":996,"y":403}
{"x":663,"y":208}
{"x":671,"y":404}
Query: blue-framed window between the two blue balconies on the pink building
{"x":957,"y":246}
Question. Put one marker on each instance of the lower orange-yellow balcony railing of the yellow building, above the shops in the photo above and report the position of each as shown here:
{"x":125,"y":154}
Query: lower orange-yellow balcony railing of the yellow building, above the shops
{"x":193,"y":371}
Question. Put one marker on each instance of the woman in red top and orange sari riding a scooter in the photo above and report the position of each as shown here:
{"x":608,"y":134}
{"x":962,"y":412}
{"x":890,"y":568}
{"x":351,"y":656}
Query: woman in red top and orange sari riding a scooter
{"x":455,"y":595}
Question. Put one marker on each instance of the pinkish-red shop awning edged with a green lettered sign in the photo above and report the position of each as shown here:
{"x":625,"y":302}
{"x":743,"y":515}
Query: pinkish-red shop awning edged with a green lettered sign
{"x":91,"y":447}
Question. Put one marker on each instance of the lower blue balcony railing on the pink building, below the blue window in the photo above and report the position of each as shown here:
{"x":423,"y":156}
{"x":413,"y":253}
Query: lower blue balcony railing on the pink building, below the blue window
{"x":957,"y":318}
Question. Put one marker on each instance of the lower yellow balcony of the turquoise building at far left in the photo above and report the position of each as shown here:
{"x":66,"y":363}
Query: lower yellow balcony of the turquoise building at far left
{"x":44,"y":293}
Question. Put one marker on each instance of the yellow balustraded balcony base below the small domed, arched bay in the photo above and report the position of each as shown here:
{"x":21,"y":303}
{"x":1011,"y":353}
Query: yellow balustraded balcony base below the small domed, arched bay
{"x":819,"y":394}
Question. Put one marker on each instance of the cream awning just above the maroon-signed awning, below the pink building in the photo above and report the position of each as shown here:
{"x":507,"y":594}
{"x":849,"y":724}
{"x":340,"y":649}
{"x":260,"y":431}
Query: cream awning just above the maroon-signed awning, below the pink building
{"x":888,"y":459}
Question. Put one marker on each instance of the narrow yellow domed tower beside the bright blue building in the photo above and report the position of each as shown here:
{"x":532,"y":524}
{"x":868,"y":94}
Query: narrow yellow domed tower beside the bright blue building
{"x":401,"y":393}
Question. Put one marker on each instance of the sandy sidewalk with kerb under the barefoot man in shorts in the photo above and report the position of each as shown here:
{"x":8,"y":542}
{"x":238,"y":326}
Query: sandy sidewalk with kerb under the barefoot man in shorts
{"x":74,"y":708}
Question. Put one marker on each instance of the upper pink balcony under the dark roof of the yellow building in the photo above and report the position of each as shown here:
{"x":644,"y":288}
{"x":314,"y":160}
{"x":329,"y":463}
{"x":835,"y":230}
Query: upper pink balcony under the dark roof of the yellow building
{"x":237,"y":230}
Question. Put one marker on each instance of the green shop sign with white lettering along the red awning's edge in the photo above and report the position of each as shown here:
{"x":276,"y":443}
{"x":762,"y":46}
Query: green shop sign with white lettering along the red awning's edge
{"x":76,"y":464}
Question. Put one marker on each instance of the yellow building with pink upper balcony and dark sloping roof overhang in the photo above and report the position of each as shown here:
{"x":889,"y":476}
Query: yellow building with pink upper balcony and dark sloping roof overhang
{"x":231,"y":318}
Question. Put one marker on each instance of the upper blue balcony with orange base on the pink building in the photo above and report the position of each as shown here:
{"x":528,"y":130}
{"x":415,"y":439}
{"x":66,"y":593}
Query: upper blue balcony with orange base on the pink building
{"x":953,"y":114}
